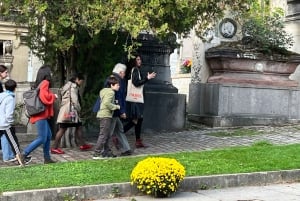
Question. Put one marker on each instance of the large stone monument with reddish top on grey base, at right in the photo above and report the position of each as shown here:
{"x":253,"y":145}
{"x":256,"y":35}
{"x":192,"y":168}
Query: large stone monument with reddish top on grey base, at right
{"x":247,"y":94}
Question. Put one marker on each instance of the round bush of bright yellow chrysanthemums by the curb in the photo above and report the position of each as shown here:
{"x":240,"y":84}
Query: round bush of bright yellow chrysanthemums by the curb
{"x":157,"y":176}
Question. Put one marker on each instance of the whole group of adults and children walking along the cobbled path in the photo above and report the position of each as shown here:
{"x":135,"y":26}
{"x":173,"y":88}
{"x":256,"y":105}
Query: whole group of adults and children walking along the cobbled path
{"x":113,"y":112}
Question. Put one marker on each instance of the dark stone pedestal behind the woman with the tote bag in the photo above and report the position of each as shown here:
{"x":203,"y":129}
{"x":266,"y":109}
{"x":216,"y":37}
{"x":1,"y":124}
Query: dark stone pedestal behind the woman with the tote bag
{"x":164,"y":108}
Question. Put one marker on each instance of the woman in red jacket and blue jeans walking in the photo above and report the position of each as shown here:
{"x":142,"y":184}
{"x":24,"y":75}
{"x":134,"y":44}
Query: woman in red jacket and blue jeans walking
{"x":41,"y":120}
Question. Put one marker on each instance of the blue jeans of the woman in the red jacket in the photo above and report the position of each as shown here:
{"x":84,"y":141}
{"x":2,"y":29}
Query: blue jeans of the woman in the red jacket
{"x":43,"y":138}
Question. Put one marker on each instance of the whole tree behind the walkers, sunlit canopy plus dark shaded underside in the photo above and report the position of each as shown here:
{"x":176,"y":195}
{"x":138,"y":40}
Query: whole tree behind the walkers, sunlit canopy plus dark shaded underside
{"x":91,"y":36}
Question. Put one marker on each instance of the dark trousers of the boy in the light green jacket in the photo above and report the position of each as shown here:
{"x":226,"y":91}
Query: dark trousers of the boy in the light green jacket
{"x":102,"y":145}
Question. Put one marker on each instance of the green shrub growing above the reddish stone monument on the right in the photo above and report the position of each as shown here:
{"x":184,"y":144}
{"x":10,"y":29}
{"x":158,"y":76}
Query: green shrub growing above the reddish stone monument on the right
{"x":264,"y":29}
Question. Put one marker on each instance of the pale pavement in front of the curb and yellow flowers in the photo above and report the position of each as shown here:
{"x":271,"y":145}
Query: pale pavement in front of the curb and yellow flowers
{"x":275,"y":192}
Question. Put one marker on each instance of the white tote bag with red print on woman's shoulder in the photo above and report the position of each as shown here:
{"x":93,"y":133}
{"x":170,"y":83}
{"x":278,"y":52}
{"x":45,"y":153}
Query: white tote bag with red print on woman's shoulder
{"x":134,"y":94}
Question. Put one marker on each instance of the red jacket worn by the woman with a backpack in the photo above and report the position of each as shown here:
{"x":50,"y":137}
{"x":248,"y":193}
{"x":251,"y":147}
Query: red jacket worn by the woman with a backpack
{"x":48,"y":98}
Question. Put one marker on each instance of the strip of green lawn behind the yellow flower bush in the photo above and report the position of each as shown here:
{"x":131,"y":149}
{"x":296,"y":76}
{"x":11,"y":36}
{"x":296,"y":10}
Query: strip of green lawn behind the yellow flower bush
{"x":258,"y":157}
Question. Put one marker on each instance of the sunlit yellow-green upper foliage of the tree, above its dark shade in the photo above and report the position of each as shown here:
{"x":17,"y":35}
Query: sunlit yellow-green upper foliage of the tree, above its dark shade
{"x":55,"y":25}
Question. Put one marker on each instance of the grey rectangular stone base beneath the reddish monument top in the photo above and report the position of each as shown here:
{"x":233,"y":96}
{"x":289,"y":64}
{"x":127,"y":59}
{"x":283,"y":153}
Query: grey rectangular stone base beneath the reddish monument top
{"x":223,"y":105}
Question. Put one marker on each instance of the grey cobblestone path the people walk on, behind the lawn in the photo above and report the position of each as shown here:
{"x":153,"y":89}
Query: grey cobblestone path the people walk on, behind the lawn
{"x":190,"y":140}
